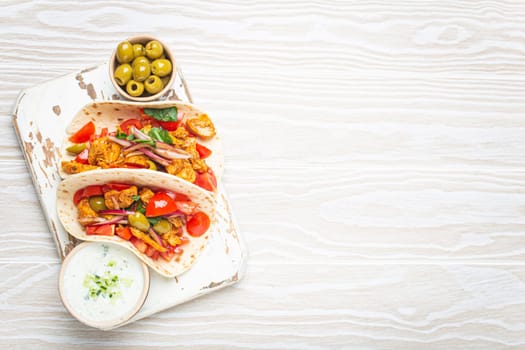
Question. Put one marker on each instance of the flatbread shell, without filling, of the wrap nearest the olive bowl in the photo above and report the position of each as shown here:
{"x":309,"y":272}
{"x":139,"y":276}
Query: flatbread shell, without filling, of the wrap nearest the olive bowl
{"x":111,"y":114}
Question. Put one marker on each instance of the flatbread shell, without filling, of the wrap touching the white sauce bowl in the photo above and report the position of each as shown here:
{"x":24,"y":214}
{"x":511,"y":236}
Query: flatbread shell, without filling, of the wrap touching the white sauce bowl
{"x":68,"y":212}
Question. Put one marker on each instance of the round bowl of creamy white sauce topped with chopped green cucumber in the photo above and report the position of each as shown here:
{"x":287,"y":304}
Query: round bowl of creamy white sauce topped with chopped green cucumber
{"x":103,"y":284}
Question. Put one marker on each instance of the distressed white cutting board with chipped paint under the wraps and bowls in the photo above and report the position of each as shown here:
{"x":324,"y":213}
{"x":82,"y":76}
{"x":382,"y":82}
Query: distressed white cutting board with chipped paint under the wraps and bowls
{"x":40,"y":117}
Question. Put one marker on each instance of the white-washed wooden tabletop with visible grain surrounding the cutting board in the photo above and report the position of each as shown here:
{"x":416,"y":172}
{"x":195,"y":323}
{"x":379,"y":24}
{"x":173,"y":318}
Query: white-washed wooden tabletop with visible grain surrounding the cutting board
{"x":374,"y":160}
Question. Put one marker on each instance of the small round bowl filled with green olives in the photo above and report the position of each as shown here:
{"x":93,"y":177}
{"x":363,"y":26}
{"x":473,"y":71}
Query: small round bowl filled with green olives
{"x":142,"y":68}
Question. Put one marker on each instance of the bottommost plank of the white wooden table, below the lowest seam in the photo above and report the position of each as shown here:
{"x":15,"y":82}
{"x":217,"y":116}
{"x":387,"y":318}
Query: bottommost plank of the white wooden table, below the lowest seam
{"x":404,"y":307}
